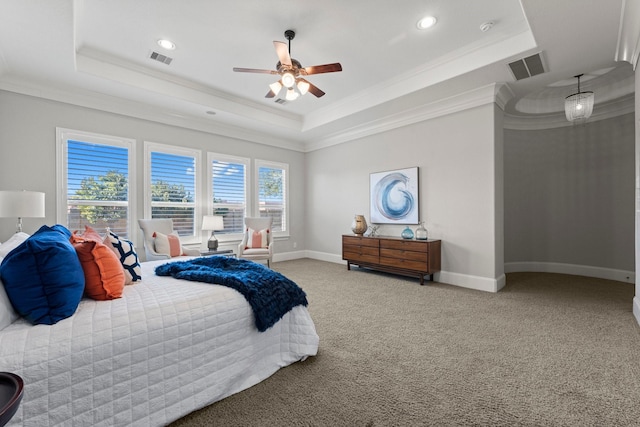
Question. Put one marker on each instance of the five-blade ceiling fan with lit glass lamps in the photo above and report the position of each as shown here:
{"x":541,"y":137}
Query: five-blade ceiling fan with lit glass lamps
{"x":292,"y":80}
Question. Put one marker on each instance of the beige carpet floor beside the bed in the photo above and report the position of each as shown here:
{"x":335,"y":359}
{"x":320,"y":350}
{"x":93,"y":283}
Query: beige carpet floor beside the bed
{"x":547,"y":350}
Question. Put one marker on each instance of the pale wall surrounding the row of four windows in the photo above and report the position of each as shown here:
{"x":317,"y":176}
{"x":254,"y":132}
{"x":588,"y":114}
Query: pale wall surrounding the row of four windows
{"x":28,"y":147}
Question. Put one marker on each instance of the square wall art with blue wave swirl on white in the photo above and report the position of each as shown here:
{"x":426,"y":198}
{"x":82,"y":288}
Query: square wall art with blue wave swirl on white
{"x":394,"y":196}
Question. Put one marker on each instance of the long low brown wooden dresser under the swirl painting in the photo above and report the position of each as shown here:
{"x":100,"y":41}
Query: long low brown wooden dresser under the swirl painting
{"x":393,"y":254}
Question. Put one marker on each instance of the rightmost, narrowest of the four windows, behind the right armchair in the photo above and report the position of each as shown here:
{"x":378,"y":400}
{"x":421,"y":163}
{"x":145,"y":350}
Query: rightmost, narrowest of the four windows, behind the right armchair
{"x":272,"y":195}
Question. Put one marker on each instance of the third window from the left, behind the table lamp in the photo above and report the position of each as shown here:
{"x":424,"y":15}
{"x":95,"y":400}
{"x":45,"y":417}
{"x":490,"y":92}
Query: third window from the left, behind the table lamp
{"x":228,"y":193}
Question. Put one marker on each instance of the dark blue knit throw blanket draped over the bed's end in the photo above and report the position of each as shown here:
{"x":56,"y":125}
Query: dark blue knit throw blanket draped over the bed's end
{"x":269,"y":293}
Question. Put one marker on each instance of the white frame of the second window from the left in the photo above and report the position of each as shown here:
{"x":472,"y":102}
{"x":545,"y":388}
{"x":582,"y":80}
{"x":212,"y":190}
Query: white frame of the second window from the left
{"x":149,"y":147}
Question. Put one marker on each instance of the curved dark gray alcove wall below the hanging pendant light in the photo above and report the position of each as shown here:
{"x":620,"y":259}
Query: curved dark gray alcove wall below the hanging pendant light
{"x":569,"y":195}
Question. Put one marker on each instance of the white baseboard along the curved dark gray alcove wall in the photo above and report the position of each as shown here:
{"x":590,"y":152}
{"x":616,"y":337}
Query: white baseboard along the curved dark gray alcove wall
{"x":573,"y":269}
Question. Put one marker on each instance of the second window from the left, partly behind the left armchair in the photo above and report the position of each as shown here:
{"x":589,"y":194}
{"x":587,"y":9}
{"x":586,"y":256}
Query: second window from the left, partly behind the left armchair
{"x":171,"y":187}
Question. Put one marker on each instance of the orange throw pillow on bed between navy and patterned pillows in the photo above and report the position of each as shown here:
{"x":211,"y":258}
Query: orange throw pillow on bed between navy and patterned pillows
{"x":103,"y":273}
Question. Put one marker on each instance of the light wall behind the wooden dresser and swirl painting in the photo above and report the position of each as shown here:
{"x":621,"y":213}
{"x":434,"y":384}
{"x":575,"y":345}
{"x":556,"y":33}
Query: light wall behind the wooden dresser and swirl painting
{"x":460,"y":161}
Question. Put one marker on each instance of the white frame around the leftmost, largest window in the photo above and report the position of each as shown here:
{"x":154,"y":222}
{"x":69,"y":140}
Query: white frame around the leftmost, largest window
{"x":63,"y":136}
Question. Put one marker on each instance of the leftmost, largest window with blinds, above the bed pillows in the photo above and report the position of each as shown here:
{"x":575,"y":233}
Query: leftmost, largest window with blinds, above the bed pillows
{"x":94,"y":175}
